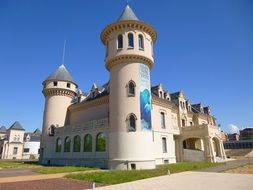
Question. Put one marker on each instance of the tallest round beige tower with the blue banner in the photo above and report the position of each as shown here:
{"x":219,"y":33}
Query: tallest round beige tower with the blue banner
{"x":129,"y":58}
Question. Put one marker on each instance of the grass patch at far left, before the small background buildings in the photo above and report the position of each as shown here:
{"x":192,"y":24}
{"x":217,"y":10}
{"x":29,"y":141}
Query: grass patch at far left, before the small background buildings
{"x":12,"y":164}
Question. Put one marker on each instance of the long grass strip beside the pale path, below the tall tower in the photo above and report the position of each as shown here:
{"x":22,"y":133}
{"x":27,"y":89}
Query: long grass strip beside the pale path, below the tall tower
{"x":116,"y":176}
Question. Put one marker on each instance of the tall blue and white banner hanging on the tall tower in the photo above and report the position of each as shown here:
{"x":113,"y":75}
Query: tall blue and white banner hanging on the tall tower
{"x":145,"y":98}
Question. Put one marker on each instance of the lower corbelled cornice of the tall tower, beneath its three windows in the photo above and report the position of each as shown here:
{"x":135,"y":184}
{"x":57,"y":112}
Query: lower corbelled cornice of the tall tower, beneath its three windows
{"x":129,"y":58}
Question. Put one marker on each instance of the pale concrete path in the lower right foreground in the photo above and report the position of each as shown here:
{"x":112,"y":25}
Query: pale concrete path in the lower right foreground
{"x":190,"y":181}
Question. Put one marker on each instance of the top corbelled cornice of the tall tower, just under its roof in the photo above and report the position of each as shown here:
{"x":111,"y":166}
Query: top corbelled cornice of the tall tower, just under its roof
{"x":132,"y":24}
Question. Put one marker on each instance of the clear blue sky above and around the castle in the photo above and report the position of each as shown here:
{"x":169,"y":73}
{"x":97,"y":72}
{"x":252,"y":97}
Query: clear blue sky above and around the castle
{"x":203,"y":47}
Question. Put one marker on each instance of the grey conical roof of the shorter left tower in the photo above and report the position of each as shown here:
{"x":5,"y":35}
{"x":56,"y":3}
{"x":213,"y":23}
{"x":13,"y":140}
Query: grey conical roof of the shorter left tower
{"x":61,"y":74}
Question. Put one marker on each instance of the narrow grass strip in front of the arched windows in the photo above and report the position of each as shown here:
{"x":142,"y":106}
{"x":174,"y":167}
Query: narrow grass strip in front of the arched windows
{"x":62,"y":169}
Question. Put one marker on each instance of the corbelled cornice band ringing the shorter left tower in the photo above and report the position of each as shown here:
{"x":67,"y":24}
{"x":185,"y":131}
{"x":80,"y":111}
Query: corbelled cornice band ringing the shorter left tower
{"x":58,"y":92}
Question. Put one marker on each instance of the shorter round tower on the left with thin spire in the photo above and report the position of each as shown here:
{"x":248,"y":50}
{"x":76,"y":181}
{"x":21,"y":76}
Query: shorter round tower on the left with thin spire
{"x":59,"y":90}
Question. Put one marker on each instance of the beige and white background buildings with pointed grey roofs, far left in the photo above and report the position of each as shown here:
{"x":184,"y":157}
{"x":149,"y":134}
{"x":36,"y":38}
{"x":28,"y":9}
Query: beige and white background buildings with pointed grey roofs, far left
{"x":16,"y":144}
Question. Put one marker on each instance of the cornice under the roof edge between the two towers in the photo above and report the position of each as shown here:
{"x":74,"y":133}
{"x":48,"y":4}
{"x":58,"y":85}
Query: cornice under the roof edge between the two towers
{"x":89,"y":104}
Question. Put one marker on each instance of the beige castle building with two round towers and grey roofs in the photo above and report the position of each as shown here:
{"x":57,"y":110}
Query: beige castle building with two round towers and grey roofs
{"x":126,"y":123}
